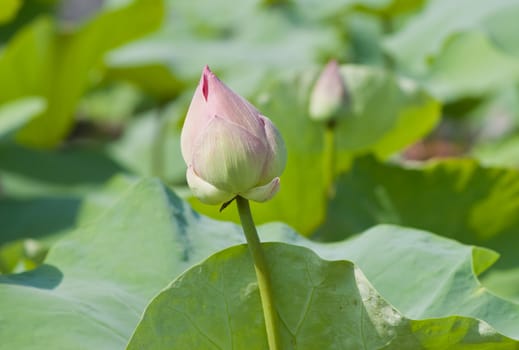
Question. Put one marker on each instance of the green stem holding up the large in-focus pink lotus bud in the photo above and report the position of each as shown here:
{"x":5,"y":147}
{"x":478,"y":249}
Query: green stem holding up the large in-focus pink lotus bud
{"x":262,"y":272}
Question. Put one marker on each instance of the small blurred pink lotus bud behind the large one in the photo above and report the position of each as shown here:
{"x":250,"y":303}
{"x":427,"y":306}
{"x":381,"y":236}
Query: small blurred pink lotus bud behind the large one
{"x":329,"y":99}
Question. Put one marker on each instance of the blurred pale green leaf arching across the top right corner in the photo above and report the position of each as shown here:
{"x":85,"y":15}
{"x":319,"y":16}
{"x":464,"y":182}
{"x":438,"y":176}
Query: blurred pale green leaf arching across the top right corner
{"x":425,"y":34}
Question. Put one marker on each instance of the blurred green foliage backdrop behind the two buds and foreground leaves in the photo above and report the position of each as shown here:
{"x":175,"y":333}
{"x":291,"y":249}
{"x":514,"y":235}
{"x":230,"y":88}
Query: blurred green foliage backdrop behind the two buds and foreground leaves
{"x":93,"y":95}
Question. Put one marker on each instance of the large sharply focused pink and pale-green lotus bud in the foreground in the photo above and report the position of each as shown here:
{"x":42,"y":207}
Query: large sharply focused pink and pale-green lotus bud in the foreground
{"x":230,"y":148}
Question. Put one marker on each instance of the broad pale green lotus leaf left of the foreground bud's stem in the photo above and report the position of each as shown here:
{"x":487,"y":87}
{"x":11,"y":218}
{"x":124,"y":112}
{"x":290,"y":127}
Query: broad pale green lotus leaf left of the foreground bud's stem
{"x":99,"y":279}
